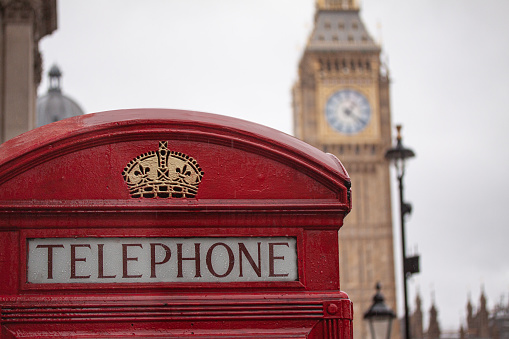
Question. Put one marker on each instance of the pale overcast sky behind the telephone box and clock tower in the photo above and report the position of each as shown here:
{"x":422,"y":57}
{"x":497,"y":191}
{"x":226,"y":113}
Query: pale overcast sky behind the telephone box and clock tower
{"x":448,"y":62}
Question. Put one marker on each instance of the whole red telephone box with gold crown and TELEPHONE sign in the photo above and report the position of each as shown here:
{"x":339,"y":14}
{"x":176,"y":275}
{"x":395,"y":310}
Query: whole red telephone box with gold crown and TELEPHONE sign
{"x":165,"y":223}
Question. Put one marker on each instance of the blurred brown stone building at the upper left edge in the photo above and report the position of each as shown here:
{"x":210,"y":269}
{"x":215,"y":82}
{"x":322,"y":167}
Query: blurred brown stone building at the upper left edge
{"x":24,"y":24}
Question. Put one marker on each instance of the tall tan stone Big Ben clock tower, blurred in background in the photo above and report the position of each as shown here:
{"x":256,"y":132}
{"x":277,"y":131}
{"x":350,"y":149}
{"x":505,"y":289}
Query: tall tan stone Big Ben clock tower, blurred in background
{"x":341,"y":105}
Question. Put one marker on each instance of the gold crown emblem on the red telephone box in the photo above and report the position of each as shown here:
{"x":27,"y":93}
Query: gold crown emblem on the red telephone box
{"x":163,"y":174}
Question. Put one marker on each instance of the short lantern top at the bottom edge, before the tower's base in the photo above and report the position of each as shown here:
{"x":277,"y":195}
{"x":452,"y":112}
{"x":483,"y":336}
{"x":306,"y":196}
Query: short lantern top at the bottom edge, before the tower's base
{"x":379,"y":317}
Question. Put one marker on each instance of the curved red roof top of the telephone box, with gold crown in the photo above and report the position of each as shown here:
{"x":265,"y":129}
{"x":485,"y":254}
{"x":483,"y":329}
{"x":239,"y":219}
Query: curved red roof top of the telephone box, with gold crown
{"x":86,"y":158}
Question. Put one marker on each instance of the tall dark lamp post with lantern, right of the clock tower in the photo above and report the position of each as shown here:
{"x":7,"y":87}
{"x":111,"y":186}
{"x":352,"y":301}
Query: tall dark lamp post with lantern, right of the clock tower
{"x":398,"y":155}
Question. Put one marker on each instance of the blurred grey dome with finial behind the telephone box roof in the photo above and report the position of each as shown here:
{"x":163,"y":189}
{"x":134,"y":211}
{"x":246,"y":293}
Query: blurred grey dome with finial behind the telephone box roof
{"x":54,"y":106}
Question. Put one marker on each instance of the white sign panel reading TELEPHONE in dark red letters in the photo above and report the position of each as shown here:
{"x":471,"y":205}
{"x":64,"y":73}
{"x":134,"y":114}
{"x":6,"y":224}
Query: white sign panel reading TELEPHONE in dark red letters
{"x":131,"y":260}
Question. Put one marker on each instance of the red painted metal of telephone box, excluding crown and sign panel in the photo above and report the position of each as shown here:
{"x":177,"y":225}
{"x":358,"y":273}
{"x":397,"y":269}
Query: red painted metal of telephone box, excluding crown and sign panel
{"x":64,"y":180}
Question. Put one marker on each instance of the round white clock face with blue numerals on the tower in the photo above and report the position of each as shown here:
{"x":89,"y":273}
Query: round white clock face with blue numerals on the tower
{"x":348,"y":111}
